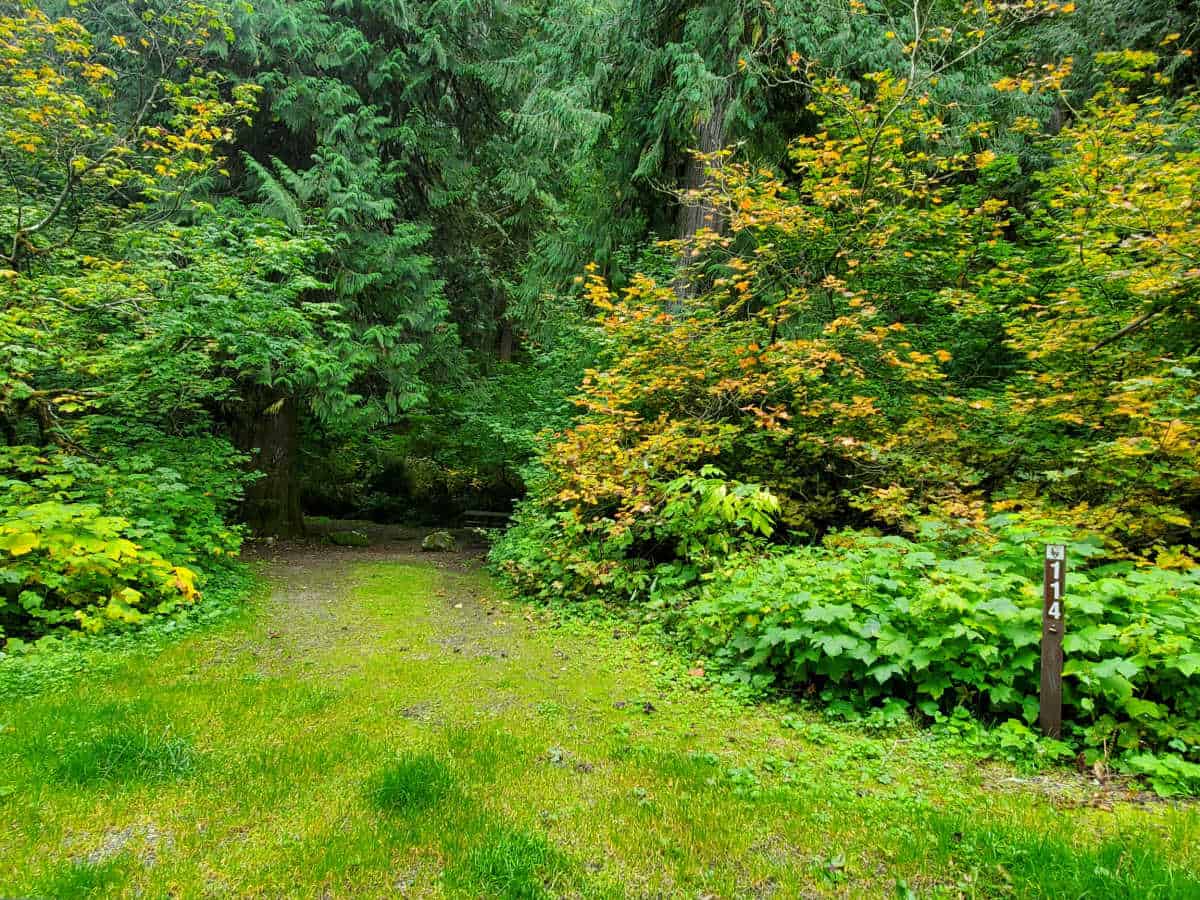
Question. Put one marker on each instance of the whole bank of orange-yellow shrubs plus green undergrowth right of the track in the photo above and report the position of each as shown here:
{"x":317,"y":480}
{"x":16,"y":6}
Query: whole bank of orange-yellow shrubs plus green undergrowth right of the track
{"x":889,"y":339}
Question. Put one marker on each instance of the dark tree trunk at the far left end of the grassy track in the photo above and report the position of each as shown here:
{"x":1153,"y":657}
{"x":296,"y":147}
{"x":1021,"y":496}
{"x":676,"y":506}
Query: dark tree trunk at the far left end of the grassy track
{"x":265,"y":425}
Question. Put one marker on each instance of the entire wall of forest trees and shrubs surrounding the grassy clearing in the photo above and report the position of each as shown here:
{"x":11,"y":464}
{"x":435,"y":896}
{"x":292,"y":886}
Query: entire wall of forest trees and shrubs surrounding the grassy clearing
{"x":747,"y":301}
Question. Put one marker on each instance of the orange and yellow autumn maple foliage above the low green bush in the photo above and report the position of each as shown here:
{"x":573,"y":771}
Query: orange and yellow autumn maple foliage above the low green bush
{"x":883,"y":339}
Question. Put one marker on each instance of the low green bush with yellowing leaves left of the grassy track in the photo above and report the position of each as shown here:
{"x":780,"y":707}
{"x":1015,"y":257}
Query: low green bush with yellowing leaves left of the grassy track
{"x":93,"y":547}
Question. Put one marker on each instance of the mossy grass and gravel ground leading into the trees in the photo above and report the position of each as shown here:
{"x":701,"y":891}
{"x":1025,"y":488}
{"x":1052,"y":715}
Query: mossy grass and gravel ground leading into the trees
{"x":383,"y":723}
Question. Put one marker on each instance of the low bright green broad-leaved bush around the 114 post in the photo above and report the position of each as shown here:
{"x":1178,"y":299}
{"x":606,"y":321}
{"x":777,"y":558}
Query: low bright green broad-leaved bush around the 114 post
{"x":872,"y":620}
